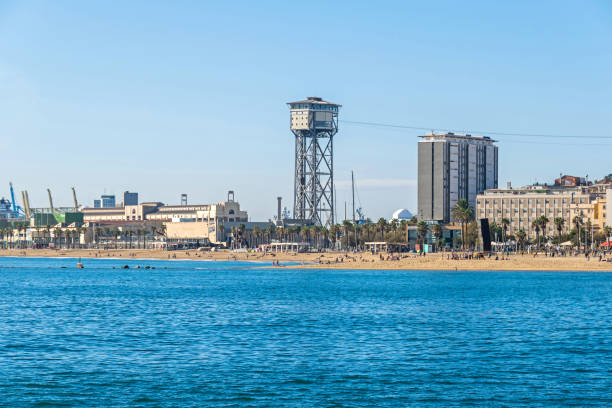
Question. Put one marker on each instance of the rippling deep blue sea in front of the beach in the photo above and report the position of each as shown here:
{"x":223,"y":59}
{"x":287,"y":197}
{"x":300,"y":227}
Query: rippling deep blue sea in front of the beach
{"x":225,"y":335}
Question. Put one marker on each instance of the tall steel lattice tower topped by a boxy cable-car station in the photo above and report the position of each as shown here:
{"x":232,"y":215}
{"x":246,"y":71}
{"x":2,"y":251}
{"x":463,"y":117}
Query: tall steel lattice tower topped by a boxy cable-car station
{"x":314,"y":122}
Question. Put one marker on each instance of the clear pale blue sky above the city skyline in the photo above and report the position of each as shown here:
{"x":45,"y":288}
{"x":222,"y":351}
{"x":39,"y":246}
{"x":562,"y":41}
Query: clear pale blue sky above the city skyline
{"x":179,"y":97}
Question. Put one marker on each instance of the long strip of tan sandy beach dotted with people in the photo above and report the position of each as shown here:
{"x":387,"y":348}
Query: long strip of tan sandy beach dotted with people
{"x":343,"y":260}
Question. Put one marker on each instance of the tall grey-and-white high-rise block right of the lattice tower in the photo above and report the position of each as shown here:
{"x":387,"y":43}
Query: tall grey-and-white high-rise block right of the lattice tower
{"x":452,"y":167}
